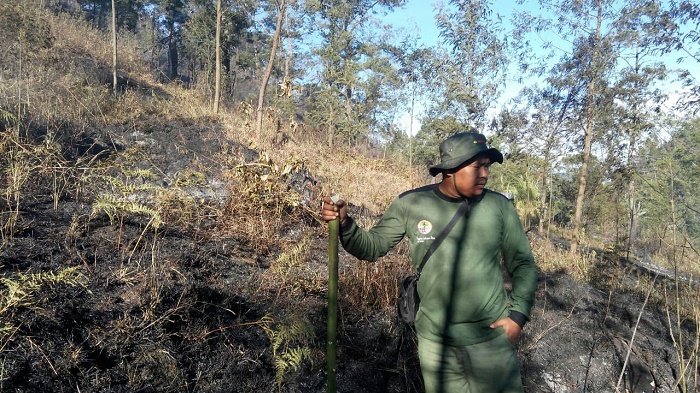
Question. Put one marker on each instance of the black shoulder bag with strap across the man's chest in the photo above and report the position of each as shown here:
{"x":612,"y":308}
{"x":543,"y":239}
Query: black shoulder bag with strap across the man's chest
{"x":409,"y":300}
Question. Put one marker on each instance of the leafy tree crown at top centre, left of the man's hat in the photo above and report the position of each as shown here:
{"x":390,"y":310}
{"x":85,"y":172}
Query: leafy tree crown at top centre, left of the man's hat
{"x":356,"y":71}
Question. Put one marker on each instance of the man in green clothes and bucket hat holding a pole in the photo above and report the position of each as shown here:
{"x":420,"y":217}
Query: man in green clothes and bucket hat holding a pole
{"x":465,"y":323}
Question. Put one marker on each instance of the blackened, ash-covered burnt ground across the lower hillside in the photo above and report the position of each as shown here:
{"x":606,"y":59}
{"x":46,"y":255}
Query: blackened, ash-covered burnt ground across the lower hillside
{"x":191,"y":306}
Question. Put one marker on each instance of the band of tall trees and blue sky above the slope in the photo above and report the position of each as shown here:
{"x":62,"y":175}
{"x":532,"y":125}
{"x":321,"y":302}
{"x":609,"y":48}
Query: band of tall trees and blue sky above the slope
{"x":591,"y":101}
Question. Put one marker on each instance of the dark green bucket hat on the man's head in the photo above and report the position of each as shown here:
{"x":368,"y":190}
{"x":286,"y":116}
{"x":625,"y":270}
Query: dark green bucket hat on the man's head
{"x":462,"y":147}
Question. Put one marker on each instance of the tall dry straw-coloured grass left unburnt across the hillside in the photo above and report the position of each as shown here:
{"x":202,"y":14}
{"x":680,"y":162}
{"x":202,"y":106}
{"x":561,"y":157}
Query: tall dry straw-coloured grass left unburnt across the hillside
{"x":50,"y":96}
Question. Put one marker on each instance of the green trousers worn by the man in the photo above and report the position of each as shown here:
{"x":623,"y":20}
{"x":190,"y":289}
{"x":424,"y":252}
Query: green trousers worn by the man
{"x":488,"y":367}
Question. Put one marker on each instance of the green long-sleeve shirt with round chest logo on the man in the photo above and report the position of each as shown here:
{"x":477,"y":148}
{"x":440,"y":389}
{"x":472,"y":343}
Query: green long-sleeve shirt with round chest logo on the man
{"x":461,"y":285}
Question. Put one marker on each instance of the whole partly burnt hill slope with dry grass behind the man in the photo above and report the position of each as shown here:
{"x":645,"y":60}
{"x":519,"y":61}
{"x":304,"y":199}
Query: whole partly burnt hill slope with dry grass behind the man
{"x":145,"y":248}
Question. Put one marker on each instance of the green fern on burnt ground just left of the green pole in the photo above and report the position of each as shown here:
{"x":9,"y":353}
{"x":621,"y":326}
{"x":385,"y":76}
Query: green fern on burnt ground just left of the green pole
{"x":291,"y":341}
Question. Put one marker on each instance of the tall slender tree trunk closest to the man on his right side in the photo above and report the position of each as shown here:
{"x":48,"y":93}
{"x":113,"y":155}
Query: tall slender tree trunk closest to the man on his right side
{"x":583,"y":177}
